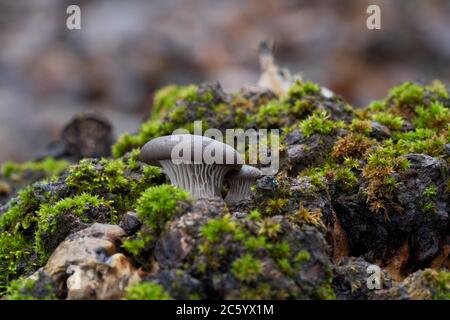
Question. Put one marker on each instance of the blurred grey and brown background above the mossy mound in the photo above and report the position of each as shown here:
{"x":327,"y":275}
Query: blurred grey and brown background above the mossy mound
{"x":127,"y":49}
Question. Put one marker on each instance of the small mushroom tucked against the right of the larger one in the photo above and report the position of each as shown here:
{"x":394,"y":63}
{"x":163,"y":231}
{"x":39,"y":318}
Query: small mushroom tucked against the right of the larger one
{"x":240,"y":183}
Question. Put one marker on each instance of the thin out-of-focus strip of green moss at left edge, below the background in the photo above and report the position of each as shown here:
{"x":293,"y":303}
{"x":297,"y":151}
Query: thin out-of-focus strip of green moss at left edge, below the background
{"x":49,"y":167}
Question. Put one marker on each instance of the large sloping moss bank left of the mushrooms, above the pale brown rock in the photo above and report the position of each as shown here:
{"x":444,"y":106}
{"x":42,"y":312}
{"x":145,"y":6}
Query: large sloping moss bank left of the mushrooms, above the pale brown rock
{"x":43,"y":214}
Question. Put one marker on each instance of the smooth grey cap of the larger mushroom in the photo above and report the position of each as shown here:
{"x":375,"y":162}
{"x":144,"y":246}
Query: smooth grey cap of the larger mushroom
{"x":162,"y":148}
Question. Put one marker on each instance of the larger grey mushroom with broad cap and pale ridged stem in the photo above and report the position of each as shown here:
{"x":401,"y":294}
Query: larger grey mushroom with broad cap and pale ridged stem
{"x":195,"y":163}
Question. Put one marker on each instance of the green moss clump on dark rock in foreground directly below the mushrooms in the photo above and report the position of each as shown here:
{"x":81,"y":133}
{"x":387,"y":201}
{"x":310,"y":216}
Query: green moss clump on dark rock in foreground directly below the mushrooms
{"x":243,"y":247}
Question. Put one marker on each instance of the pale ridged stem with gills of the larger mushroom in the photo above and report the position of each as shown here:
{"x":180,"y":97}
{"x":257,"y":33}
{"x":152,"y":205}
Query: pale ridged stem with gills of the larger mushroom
{"x":203,"y":181}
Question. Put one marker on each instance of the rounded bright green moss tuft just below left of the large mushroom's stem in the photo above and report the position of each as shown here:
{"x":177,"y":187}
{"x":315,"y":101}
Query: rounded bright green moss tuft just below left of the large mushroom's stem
{"x":158,"y":204}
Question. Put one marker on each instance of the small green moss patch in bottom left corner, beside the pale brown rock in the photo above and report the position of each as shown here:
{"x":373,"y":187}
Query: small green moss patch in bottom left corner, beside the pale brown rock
{"x":29,"y":289}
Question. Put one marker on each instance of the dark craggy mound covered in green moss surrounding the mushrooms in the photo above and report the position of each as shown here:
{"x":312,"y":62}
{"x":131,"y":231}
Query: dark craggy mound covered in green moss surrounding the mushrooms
{"x":372,"y":183}
